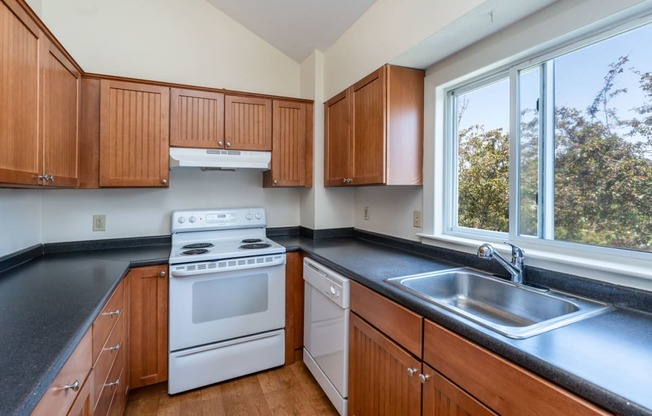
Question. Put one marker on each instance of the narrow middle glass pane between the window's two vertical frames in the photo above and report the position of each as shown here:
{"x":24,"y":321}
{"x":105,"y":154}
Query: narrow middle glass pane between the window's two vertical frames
{"x":529,"y":132}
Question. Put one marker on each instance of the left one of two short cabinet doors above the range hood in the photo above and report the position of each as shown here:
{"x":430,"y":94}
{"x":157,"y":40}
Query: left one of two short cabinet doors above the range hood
{"x":196,"y":119}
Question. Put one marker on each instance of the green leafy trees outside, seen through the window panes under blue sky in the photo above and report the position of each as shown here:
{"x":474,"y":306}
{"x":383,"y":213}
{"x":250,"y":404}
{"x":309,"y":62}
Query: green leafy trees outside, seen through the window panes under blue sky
{"x":603,"y":172}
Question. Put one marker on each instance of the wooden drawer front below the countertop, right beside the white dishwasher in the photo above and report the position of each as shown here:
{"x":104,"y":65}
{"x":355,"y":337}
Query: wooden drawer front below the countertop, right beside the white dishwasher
{"x":397,"y":322}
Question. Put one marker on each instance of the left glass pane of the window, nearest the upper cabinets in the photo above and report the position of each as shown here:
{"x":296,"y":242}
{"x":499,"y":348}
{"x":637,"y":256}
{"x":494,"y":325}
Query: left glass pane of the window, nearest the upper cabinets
{"x":482,"y":120}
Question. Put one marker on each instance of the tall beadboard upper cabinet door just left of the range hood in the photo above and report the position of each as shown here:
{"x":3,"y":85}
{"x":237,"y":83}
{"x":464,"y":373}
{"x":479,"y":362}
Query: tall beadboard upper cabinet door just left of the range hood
{"x":134,"y":134}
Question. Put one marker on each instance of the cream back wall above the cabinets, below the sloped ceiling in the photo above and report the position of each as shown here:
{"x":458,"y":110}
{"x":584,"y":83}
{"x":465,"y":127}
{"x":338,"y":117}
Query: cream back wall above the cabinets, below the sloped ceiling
{"x":183,"y":41}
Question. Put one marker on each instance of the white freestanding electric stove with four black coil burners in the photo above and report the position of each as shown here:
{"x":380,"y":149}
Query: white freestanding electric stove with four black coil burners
{"x":227,"y":297}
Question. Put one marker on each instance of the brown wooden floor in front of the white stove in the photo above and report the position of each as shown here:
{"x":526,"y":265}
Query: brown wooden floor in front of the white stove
{"x":287,"y":390}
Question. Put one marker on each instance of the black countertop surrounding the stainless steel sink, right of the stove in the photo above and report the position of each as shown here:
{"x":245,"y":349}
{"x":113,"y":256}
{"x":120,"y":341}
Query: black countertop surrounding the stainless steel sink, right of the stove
{"x":607,"y":359}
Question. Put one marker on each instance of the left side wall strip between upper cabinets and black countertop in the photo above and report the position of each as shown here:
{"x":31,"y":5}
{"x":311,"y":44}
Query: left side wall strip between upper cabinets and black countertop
{"x":20,"y":219}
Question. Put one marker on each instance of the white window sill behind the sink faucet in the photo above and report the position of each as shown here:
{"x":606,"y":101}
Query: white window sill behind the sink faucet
{"x":630,"y":272}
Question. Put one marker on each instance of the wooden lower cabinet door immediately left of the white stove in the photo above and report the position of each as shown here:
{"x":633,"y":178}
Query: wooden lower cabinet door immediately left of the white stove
{"x":148,"y":325}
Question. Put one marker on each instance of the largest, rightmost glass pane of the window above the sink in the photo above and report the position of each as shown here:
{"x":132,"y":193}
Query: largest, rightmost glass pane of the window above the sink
{"x":603,"y":143}
